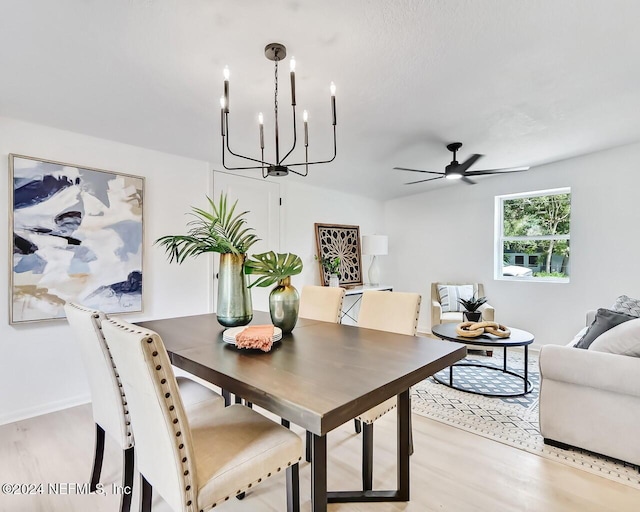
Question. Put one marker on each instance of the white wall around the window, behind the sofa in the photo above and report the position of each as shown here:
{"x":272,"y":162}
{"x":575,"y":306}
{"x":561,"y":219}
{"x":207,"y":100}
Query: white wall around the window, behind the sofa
{"x":448,"y":234}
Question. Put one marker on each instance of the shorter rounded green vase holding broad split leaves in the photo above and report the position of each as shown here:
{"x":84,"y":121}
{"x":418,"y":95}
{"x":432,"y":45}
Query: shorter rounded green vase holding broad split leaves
{"x":284,"y":301}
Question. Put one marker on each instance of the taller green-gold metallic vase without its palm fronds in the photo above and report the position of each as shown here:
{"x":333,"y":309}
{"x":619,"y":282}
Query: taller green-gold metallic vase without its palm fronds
{"x":234,"y":298}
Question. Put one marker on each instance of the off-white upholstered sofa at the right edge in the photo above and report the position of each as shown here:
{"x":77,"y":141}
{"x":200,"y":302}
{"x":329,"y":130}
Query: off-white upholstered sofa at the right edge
{"x":590,"y":398}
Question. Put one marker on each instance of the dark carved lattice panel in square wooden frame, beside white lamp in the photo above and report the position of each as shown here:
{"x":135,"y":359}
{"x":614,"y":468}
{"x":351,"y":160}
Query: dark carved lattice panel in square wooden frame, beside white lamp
{"x":339,"y":240}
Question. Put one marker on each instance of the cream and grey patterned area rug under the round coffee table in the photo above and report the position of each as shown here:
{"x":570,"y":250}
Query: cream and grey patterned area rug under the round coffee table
{"x":511,"y":421}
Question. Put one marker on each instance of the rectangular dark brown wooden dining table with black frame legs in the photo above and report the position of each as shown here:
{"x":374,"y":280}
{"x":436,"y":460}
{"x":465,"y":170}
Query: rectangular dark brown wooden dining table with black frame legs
{"x":319,"y":376}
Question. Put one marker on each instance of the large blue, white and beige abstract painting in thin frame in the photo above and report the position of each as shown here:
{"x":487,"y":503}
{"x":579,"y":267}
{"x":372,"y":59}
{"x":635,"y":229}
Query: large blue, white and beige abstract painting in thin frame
{"x":76,"y":235}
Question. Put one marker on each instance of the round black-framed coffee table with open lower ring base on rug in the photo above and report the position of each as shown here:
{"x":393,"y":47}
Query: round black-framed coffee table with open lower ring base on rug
{"x":518,"y":338}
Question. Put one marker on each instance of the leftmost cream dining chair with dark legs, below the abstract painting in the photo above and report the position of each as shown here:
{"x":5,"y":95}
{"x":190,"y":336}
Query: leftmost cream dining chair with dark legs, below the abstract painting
{"x":108,"y":401}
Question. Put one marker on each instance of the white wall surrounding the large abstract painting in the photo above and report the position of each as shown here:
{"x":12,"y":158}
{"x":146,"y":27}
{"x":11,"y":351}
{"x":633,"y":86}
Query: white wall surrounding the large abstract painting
{"x":40,"y":370}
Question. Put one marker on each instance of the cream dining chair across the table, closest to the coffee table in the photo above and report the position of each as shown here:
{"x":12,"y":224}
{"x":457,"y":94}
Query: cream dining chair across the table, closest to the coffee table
{"x":393,"y":312}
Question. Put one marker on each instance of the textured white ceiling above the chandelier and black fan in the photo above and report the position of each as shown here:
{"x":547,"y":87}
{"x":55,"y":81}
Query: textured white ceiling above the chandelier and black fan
{"x":524,"y":83}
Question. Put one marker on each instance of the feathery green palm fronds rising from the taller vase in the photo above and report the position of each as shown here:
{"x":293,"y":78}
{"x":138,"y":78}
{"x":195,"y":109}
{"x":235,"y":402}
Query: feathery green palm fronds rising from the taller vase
{"x":221,"y":230}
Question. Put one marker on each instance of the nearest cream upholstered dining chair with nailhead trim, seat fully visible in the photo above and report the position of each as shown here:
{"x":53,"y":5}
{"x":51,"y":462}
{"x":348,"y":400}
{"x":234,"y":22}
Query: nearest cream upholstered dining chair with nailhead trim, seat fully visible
{"x":194,"y":460}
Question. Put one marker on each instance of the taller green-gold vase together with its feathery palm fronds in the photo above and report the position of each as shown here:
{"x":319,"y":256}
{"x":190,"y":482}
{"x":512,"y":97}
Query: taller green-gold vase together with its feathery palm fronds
{"x":224,"y":231}
